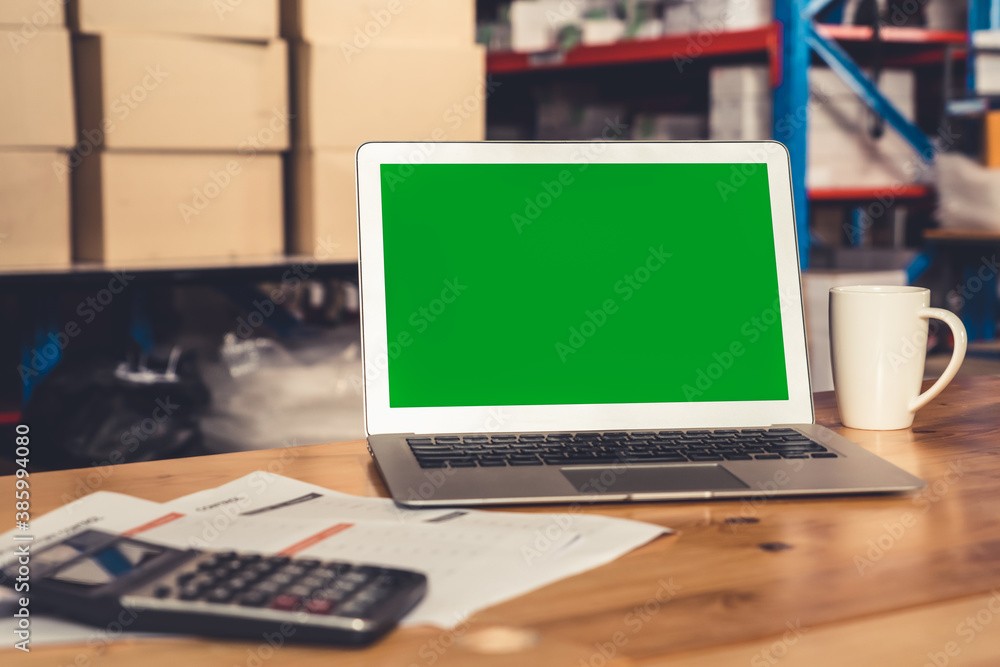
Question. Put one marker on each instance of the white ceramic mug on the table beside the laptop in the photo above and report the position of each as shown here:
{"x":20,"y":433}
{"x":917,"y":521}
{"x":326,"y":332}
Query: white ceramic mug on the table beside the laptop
{"x":878,"y":343}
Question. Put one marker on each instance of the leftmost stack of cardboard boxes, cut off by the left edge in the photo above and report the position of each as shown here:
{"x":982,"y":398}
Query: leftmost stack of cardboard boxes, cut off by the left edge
{"x":36,"y":129}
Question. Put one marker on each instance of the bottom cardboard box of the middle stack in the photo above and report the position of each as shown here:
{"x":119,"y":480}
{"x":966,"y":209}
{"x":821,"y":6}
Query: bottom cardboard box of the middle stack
{"x":133,"y":207}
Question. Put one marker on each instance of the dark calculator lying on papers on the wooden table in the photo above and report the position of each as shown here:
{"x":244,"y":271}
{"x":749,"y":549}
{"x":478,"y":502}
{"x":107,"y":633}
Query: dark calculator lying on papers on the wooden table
{"x":100,"y":579}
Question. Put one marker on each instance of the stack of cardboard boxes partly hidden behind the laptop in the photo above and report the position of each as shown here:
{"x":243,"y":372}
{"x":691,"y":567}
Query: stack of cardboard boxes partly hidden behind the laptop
{"x":372,"y":70}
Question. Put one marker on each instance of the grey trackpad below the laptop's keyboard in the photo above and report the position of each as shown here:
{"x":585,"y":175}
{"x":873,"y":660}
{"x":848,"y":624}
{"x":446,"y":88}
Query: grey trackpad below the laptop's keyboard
{"x":651,"y":479}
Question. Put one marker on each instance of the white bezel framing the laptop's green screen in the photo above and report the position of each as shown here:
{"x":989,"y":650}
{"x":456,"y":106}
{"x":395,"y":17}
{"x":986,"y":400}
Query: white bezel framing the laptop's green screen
{"x":380,"y":418}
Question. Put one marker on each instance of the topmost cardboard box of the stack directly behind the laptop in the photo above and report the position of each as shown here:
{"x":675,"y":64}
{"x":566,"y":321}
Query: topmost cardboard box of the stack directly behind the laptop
{"x":354,"y":25}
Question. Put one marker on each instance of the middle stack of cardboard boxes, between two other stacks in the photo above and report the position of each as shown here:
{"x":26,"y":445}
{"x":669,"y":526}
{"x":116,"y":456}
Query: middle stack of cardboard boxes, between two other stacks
{"x":183,"y":118}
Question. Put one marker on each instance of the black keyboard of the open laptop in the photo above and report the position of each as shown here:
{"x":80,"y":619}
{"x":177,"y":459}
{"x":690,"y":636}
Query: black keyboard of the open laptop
{"x":590,"y":448}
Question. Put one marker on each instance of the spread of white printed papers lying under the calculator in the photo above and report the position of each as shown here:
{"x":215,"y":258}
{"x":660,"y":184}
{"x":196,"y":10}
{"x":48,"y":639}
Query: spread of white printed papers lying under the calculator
{"x":473,"y":559}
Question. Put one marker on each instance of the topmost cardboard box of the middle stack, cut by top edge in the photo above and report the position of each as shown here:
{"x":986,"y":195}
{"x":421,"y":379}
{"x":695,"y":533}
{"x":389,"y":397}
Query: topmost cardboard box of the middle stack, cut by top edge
{"x":233,"y":19}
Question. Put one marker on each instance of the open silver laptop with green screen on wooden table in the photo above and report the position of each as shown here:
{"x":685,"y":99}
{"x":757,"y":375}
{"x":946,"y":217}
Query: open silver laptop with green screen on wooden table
{"x":590,"y":322}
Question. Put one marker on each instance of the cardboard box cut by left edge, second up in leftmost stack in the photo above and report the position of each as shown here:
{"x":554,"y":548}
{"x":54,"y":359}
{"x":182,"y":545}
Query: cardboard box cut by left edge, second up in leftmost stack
{"x":36,"y":89}
